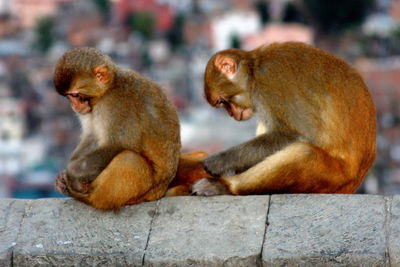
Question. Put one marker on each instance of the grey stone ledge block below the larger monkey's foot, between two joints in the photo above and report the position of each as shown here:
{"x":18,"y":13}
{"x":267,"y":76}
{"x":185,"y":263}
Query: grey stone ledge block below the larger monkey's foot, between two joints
{"x":216,"y":231}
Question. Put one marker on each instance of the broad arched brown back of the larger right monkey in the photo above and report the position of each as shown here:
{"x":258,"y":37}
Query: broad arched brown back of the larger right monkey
{"x":324,"y":98}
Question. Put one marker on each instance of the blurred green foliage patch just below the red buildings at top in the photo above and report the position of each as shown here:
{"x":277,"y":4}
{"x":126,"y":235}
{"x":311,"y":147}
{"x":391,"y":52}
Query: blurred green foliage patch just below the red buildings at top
{"x":143,"y":22}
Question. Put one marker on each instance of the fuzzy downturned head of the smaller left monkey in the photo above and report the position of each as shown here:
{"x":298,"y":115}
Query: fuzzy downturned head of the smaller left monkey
{"x":83,"y":75}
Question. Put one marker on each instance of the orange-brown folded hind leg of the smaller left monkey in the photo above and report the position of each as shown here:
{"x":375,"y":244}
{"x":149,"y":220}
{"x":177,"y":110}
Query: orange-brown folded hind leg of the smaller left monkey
{"x":128,"y":178}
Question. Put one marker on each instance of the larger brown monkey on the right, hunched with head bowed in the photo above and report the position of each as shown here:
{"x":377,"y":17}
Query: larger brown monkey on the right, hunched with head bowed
{"x":316,"y":130}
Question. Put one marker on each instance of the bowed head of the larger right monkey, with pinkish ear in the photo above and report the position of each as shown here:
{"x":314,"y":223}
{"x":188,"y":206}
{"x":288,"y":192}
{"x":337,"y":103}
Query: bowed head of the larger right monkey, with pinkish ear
{"x":226,"y":83}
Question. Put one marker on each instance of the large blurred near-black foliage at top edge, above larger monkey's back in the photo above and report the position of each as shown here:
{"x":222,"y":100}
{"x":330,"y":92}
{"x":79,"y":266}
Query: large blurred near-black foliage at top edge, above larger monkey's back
{"x":339,"y":15}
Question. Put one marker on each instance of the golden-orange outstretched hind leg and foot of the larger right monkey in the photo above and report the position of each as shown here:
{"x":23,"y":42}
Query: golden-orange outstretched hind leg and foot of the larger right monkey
{"x":298,"y":168}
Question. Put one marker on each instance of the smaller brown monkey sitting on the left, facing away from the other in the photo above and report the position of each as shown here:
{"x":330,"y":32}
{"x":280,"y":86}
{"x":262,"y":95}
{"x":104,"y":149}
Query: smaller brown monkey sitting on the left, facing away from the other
{"x":130,"y":145}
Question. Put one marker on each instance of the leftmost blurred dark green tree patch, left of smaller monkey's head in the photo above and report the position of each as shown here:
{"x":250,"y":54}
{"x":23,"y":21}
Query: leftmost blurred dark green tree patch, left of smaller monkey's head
{"x":44,"y":34}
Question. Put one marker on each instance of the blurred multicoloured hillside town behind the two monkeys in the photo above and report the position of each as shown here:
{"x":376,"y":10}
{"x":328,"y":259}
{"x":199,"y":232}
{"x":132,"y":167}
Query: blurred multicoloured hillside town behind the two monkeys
{"x":170,"y":41}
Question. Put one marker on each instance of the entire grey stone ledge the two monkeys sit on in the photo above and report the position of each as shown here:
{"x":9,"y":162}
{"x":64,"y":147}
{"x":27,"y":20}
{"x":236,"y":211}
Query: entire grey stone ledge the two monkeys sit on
{"x":277,"y":230}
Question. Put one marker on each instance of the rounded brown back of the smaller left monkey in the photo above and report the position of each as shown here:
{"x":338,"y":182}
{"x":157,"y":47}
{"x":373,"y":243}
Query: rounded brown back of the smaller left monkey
{"x":156,"y":133}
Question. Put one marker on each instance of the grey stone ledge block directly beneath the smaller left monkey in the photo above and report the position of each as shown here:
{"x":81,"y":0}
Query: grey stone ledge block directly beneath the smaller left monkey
{"x":64,"y":232}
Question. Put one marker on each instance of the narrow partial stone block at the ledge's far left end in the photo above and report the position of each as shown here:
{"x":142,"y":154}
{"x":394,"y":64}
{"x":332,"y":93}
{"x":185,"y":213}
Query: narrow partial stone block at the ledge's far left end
{"x":11,"y":214}
